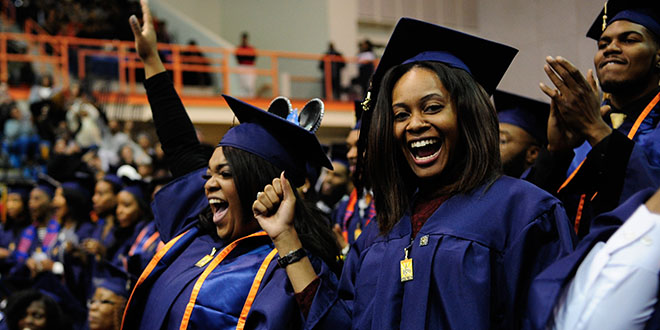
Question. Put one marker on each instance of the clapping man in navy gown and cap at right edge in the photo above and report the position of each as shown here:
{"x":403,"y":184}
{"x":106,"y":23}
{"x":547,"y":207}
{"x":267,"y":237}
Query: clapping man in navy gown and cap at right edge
{"x":601,"y":153}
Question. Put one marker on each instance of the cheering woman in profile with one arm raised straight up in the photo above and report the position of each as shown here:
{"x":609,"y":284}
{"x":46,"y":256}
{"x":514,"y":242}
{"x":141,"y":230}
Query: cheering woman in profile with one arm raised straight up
{"x":218,"y":269}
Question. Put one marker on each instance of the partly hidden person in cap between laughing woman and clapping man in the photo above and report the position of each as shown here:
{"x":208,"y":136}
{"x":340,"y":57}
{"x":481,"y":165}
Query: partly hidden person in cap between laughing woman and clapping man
{"x":523,"y":127}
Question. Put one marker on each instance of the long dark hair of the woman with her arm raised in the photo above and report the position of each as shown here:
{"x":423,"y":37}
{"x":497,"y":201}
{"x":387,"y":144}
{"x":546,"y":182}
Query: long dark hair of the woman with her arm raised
{"x":251,"y":174}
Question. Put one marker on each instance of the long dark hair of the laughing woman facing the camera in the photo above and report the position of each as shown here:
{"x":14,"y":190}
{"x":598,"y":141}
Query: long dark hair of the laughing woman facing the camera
{"x":475,"y":161}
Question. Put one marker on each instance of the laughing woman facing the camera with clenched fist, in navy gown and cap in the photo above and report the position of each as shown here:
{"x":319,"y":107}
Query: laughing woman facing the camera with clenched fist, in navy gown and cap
{"x":457,"y":244}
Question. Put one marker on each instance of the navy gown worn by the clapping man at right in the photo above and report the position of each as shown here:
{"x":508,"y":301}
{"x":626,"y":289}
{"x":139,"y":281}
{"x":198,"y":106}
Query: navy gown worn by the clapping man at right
{"x":613,"y":170}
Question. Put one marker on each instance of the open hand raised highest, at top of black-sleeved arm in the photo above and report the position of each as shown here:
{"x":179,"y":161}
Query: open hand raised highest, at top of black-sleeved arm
{"x":146,"y":44}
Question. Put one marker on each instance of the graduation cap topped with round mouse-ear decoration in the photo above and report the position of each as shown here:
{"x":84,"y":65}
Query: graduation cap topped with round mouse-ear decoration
{"x":269,"y":135}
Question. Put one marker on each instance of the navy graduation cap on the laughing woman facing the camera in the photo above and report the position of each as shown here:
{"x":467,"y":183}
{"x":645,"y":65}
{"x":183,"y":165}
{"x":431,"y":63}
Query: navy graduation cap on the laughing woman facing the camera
{"x":415,"y":41}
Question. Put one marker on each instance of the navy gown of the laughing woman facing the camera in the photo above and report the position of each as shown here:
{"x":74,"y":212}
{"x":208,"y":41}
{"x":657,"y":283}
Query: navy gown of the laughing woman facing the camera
{"x":473,"y":261}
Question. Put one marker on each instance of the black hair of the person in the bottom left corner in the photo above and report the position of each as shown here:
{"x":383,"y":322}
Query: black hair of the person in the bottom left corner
{"x":18,"y":303}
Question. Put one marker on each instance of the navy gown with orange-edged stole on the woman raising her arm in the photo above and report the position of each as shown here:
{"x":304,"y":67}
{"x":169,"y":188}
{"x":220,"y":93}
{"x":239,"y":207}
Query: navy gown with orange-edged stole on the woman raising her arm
{"x":165,"y":288}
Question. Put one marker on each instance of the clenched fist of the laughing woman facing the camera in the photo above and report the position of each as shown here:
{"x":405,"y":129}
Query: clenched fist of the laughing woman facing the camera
{"x":274,"y":208}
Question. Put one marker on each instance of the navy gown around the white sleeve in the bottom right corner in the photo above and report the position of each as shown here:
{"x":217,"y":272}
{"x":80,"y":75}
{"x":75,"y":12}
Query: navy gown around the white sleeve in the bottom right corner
{"x":548,"y":286}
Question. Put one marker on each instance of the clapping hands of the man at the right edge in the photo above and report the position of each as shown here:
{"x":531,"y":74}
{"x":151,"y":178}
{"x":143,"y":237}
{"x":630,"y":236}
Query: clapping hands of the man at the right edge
{"x":576,"y":99}
